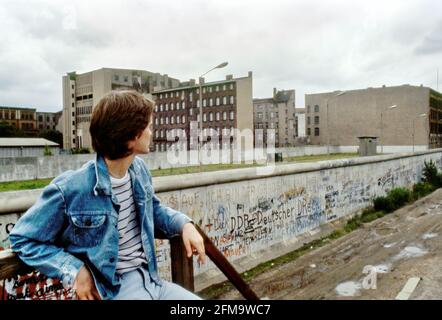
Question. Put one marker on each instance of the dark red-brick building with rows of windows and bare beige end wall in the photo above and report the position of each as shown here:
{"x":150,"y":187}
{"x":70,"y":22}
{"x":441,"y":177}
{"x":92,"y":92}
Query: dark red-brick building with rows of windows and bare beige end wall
{"x":226,"y":104}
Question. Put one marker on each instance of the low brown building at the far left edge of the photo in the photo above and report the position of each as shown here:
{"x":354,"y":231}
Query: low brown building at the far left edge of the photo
{"x":20,"y":118}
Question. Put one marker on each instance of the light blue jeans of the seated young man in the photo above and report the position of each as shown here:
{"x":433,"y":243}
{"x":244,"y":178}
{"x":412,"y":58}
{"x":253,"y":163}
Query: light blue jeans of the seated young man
{"x":137,"y":285}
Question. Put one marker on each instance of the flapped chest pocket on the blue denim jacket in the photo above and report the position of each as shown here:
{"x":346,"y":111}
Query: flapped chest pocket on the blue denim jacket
{"x":88,"y":227}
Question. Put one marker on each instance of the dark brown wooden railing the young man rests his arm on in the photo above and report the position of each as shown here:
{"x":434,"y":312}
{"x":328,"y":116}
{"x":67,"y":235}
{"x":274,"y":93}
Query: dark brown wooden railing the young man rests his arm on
{"x":181,"y":266}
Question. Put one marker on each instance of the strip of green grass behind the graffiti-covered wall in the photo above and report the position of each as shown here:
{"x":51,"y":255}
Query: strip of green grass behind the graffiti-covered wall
{"x":41,"y":183}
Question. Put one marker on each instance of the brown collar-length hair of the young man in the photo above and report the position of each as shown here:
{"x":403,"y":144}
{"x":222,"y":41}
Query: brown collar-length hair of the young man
{"x":120,"y":116}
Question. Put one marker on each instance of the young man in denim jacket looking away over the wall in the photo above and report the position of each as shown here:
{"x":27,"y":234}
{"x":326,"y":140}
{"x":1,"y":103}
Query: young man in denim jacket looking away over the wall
{"x":94,"y":227}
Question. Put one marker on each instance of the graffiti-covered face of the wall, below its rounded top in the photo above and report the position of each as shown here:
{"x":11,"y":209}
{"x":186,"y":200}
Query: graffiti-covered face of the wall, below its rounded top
{"x":242,"y":218}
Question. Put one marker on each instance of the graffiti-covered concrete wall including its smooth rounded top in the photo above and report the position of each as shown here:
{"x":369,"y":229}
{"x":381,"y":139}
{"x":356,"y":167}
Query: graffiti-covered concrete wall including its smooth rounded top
{"x":253,"y":218}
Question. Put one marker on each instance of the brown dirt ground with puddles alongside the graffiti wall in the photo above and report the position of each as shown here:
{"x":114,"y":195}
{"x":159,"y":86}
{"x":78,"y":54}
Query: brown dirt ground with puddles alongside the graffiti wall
{"x":404,"y":244}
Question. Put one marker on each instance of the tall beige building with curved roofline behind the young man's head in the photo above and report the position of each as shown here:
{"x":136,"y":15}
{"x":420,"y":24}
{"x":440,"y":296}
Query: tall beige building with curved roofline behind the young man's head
{"x":81,"y":92}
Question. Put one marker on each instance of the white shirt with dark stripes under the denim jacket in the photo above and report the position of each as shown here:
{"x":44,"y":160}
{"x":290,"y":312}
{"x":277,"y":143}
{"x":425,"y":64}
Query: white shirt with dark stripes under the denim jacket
{"x":130,"y":250}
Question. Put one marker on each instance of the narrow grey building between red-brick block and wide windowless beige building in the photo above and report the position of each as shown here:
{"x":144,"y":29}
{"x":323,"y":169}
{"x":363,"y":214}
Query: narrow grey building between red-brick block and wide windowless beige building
{"x":277,"y":113}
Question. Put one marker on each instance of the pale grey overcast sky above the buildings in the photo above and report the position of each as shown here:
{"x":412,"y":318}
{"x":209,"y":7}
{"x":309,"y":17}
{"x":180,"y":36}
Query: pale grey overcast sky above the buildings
{"x":310,"y":46}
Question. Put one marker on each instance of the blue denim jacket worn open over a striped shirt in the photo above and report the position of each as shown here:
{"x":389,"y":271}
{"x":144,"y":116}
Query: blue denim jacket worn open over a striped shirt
{"x":74,"y":223}
